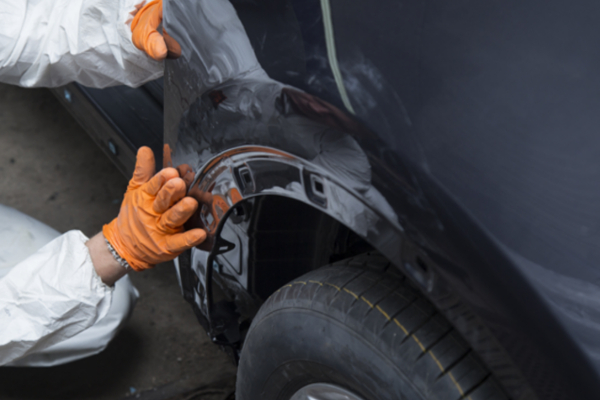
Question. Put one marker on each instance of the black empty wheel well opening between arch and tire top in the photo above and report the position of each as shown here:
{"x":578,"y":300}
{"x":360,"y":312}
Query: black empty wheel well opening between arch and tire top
{"x":288,"y":238}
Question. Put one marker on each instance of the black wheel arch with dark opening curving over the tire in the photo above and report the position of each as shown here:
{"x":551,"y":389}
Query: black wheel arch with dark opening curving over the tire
{"x":286,"y":201}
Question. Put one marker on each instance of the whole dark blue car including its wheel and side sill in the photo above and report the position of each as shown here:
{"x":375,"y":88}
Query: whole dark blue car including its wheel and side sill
{"x":402,"y":197}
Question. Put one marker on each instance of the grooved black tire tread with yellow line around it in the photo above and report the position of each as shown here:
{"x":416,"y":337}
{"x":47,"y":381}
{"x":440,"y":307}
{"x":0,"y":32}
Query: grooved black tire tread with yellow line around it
{"x":368,"y":294}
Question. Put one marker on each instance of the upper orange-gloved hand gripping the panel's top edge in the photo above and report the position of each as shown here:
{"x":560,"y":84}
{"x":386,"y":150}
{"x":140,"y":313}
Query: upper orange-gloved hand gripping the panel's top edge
{"x":145,"y":35}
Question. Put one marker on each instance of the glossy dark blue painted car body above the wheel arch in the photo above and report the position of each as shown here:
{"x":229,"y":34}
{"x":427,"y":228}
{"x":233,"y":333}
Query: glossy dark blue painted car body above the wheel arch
{"x":468,"y":130}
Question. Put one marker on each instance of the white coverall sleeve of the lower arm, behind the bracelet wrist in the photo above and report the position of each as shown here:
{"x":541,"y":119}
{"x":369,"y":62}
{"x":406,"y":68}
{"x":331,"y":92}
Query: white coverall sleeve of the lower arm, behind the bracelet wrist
{"x":49,"y":297}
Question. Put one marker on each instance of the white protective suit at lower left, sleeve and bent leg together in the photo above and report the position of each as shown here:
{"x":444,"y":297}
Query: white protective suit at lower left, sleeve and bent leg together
{"x":53,"y":306}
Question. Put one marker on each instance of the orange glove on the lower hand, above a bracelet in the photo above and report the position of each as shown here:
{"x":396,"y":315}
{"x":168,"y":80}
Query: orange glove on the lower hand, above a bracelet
{"x":149,"y":228}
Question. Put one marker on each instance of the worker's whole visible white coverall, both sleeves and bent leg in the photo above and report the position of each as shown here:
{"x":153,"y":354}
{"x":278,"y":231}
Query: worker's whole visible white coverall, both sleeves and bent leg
{"x":55,"y":294}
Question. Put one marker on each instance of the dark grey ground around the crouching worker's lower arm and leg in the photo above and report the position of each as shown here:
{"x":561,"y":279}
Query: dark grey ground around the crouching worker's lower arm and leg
{"x":51,"y":170}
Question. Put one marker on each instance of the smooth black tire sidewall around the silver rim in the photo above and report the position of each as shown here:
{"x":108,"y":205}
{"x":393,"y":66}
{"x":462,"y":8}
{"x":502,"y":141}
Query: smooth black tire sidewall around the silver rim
{"x":291,"y":347}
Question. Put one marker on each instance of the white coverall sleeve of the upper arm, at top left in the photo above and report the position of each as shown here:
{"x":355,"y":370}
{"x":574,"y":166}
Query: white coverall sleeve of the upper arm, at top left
{"x":49,"y":43}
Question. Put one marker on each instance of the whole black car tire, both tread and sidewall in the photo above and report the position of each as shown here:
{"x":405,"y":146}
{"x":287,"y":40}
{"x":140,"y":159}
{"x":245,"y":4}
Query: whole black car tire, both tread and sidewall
{"x":360,"y":327}
